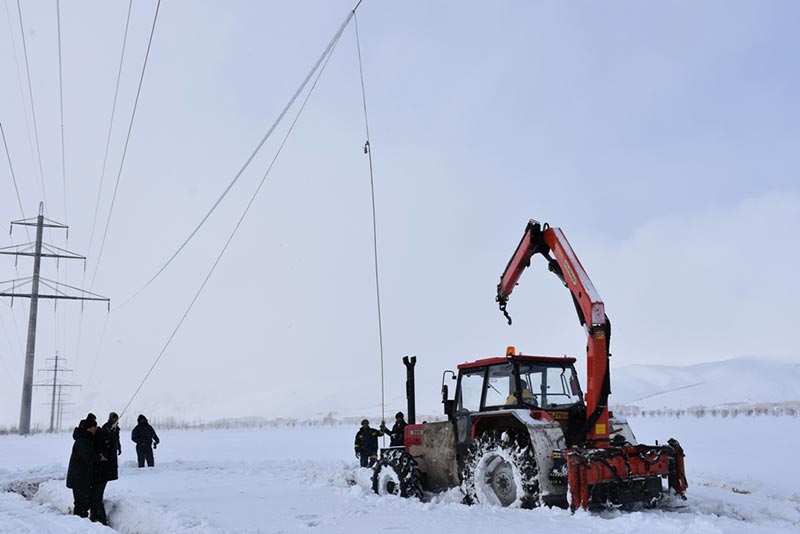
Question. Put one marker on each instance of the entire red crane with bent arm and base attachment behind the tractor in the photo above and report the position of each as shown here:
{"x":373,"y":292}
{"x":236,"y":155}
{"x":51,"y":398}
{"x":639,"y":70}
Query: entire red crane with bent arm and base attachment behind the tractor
{"x":600,"y":469}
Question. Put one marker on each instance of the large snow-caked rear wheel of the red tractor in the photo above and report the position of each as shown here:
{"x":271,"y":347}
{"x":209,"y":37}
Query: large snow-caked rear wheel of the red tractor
{"x":500,"y":470}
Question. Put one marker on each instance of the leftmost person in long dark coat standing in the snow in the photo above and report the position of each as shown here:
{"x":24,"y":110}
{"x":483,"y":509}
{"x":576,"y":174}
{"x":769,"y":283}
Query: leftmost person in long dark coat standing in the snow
{"x":82,"y":462}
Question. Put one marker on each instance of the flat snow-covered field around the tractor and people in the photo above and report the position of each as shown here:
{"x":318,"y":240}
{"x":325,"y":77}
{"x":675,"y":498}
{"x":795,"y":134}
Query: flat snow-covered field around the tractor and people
{"x":282,"y":480}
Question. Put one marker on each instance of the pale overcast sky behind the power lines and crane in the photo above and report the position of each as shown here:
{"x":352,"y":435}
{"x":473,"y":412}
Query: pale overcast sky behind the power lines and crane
{"x":663,"y":138}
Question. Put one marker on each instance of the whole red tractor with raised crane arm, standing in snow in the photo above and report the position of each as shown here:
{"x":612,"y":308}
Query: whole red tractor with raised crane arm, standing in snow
{"x":520,"y":432}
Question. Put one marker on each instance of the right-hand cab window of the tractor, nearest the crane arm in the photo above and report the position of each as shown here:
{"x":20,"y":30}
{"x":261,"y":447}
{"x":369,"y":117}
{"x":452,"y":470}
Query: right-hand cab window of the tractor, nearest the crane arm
{"x":549,"y":387}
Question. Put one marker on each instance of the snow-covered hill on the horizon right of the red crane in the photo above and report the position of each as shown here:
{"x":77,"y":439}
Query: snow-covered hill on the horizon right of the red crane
{"x":736,"y":381}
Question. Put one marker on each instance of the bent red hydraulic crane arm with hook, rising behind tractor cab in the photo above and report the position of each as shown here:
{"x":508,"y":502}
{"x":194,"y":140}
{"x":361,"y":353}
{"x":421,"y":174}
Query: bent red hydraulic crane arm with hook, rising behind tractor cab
{"x":564,"y":263}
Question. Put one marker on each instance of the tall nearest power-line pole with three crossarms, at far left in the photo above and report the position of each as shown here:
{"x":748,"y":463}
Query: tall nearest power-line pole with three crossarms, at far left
{"x":35,"y":250}
